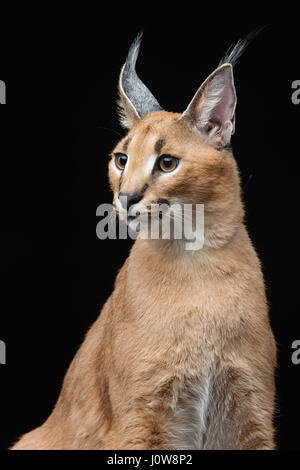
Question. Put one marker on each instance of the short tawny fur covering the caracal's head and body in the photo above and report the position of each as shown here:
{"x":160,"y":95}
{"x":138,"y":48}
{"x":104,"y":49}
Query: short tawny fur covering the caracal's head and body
{"x":182,"y":355}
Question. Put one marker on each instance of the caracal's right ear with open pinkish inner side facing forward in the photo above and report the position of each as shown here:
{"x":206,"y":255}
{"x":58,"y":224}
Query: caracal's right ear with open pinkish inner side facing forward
{"x":211,"y":111}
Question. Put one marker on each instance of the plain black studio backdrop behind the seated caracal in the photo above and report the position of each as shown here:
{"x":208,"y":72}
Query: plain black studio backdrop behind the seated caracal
{"x":61,"y":63}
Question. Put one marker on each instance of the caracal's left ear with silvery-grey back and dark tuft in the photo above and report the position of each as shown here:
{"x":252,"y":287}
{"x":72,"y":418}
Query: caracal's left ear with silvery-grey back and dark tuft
{"x":135,"y":100}
